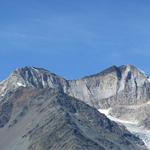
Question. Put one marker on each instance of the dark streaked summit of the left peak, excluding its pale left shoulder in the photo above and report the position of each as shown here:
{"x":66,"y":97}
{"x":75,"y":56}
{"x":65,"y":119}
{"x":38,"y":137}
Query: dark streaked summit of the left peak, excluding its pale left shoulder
{"x":37,"y":77}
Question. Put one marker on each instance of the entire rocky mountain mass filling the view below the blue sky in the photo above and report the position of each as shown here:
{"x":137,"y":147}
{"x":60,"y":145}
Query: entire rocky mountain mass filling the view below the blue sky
{"x":124,"y":91}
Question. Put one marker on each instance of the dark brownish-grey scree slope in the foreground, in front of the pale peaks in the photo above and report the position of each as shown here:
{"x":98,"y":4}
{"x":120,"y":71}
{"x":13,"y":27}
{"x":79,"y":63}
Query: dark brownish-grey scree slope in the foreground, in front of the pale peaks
{"x":47,"y":119}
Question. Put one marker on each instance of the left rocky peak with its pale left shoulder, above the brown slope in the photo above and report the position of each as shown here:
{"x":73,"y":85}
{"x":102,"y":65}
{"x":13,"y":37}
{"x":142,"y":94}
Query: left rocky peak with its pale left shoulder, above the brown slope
{"x":30,"y":77}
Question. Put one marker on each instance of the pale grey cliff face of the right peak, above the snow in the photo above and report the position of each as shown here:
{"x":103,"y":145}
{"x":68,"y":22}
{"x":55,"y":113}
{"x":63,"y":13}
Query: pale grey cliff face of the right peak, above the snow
{"x":124,"y":85}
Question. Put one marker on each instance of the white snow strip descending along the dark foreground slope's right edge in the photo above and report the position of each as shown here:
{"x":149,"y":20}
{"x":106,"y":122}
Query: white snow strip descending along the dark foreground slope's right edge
{"x":132,"y":126}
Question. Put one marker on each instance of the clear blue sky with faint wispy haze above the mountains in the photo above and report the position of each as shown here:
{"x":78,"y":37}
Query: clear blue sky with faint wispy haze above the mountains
{"x":74,"y":38}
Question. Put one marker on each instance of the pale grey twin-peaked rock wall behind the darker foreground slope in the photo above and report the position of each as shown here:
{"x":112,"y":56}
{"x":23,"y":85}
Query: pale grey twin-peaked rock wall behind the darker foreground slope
{"x":125,"y":85}
